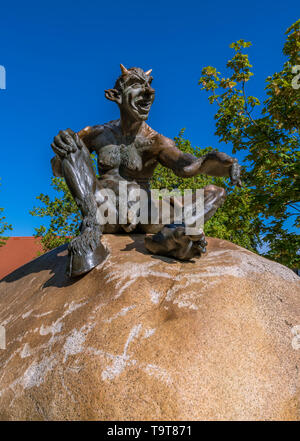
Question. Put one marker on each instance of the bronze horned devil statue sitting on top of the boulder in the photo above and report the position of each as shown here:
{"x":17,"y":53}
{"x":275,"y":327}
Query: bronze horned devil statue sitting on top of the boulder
{"x":129,"y":150}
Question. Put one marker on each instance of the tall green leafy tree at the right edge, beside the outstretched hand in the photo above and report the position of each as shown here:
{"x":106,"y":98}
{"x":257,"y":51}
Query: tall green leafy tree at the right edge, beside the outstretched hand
{"x":269,"y":135}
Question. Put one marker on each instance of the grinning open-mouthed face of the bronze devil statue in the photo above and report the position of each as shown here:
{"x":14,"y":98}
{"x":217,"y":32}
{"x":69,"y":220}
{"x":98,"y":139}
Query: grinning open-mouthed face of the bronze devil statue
{"x":137,"y":96}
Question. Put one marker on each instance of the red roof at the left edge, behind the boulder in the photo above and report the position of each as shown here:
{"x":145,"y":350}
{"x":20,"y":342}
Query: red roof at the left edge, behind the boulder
{"x":17,"y":251}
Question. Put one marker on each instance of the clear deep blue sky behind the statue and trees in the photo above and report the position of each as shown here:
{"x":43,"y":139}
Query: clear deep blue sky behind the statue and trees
{"x":59,"y":57}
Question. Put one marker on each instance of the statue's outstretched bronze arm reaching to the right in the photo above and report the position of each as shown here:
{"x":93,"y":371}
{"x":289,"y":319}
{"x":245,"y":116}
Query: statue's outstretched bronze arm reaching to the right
{"x":186,"y":165}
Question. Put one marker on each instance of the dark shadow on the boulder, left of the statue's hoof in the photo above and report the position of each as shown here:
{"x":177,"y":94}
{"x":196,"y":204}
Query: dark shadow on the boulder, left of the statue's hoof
{"x":54,"y":261}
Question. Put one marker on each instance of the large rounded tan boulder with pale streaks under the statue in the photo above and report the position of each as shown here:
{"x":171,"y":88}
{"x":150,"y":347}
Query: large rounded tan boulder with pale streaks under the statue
{"x":149,"y":338}
